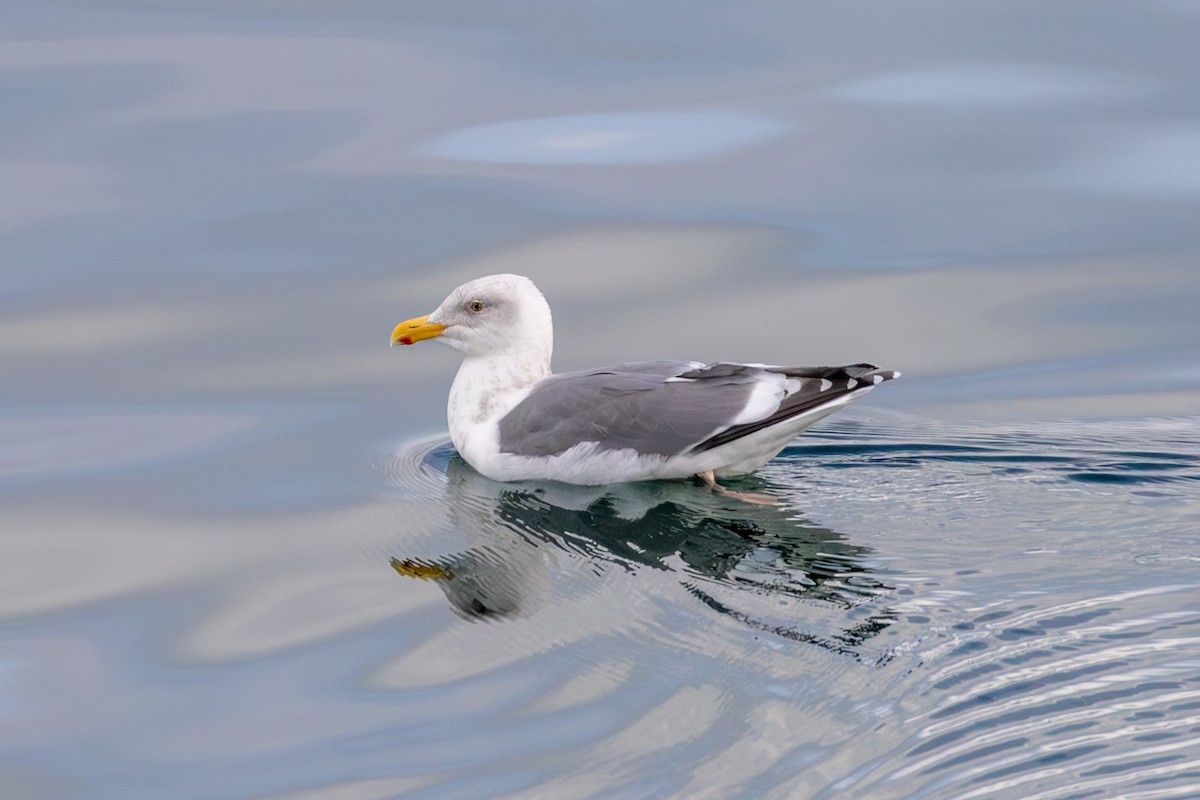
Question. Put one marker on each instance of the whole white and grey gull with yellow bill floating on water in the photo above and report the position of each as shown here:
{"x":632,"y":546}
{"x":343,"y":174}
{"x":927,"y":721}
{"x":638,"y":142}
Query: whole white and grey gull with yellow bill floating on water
{"x":513,"y":419}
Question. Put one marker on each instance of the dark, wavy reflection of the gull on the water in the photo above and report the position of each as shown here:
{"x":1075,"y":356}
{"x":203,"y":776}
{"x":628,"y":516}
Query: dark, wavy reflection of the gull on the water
{"x":739,"y":560}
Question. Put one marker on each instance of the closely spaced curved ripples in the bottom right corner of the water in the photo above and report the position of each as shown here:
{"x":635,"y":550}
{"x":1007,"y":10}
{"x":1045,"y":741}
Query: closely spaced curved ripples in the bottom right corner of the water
{"x":1100,"y":694}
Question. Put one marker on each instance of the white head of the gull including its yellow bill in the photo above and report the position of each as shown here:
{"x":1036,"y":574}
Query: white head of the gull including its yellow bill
{"x":491,"y":316}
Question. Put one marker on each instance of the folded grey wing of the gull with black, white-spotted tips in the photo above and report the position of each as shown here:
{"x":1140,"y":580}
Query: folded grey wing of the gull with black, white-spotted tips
{"x":661,"y":407}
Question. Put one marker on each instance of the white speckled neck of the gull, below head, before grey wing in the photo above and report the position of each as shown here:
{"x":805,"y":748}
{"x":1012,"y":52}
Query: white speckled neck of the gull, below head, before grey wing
{"x":488,"y":386}
